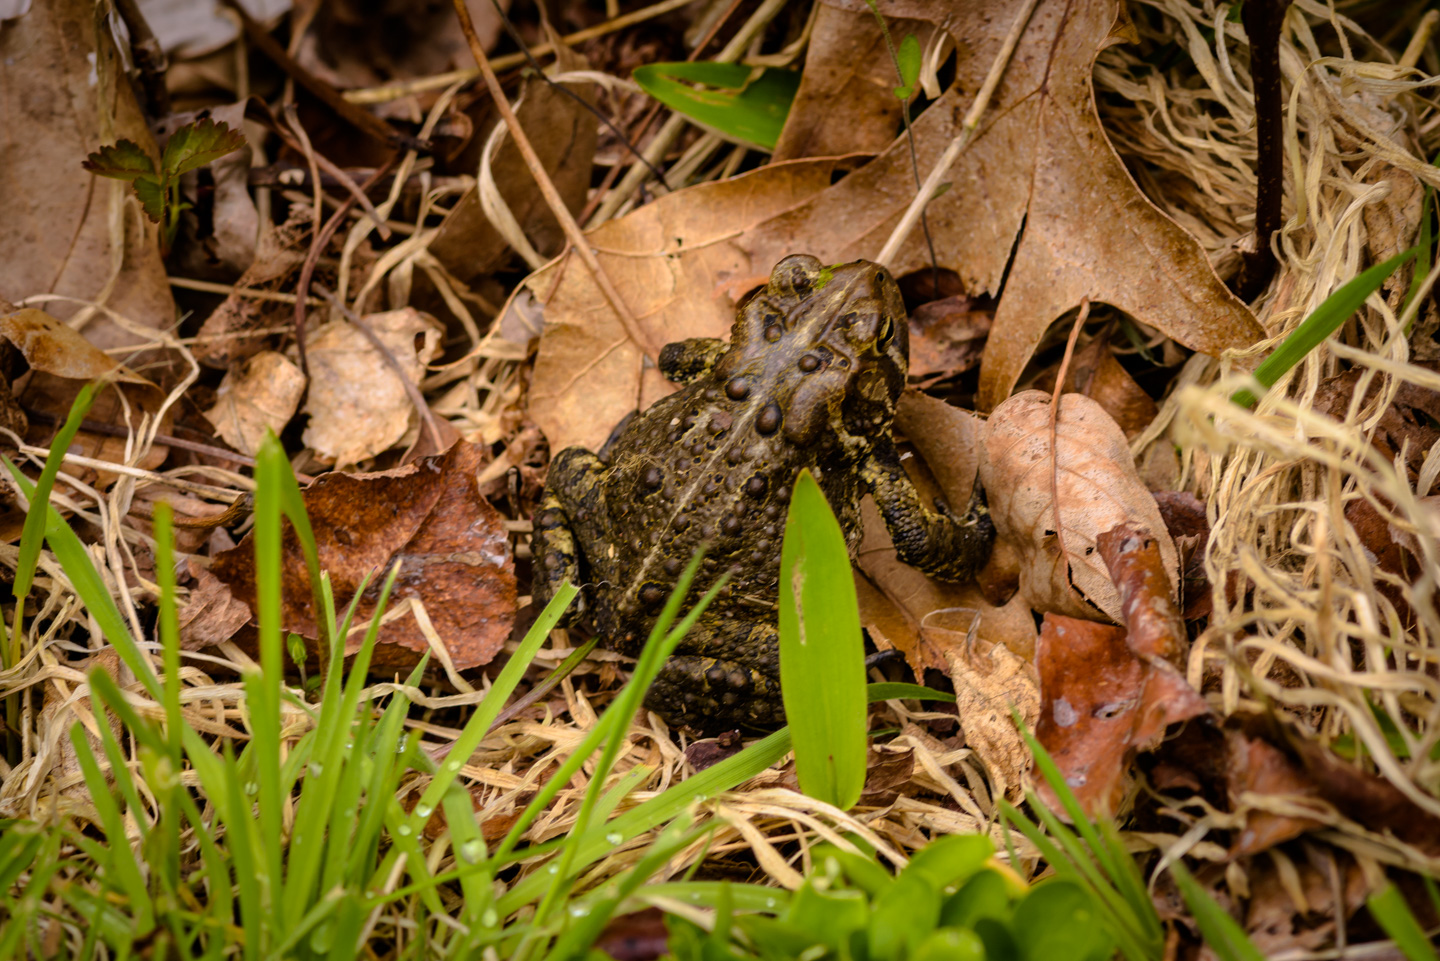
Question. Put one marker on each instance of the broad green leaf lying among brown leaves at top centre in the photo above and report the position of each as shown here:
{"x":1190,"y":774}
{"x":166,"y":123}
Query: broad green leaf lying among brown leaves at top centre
{"x":742,"y":110}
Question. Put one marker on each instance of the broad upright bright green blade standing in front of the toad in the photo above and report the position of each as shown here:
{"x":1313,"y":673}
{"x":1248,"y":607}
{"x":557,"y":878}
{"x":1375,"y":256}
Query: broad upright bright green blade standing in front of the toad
{"x":823,"y":656}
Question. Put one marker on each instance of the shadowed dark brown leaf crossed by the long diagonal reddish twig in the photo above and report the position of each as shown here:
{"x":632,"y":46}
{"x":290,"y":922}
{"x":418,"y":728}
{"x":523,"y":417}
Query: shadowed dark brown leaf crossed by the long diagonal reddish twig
{"x":564,"y":135}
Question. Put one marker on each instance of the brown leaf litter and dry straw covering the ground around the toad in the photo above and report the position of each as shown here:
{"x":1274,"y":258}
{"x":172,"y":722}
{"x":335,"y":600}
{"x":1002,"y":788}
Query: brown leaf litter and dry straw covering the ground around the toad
{"x":1220,"y":622}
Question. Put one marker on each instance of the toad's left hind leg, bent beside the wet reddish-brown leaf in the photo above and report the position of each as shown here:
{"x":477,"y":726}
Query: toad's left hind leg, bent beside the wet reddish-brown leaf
{"x":572,"y":502}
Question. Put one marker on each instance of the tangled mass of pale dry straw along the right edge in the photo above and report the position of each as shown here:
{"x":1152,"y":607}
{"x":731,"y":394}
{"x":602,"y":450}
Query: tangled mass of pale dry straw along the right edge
{"x":1317,"y":638}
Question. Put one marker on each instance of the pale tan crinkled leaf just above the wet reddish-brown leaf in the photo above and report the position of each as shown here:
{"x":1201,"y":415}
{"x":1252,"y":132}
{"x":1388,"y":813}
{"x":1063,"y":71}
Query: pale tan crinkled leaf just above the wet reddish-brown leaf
{"x":358,"y":406}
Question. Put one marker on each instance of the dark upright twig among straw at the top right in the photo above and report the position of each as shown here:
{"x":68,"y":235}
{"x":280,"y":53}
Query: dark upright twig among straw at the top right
{"x":1264,"y":21}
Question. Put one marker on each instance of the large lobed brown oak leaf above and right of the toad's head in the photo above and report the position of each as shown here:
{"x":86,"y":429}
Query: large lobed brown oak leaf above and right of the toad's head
{"x":1039,"y":169}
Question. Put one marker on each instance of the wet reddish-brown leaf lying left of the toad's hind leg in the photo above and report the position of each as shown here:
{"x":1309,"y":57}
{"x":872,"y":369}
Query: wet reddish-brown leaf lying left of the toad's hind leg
{"x":430,"y":515}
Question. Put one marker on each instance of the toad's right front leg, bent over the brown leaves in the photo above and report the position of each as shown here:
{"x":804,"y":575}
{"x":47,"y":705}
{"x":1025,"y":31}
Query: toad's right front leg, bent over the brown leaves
{"x":938,"y":545}
